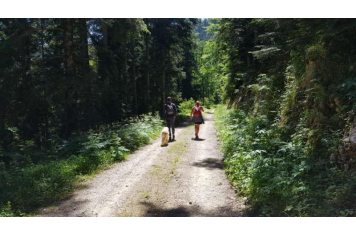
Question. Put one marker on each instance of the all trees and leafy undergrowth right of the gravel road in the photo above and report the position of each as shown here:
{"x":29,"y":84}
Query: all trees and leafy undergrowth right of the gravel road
{"x":291,"y":82}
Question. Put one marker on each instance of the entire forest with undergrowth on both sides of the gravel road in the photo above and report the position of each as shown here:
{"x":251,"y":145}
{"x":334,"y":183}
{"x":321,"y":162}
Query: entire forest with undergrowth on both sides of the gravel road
{"x":73,"y":90}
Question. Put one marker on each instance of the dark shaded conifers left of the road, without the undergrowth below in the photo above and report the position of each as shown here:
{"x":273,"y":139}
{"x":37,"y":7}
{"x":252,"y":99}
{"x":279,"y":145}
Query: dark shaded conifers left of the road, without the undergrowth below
{"x":62,"y":76}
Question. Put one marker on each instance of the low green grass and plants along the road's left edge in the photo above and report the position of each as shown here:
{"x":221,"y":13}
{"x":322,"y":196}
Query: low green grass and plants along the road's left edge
{"x":34,"y":181}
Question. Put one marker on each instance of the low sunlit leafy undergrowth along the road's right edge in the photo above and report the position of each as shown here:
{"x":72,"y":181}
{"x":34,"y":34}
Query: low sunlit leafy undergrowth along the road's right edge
{"x":278,"y":175}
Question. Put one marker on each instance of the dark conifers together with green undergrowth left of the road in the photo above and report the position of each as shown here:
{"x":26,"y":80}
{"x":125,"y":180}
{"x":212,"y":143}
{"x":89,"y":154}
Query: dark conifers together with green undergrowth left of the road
{"x":62,"y":81}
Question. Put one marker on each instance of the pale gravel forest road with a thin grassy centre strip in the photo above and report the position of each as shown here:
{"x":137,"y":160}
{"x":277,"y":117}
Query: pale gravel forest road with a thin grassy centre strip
{"x":184,"y":179}
